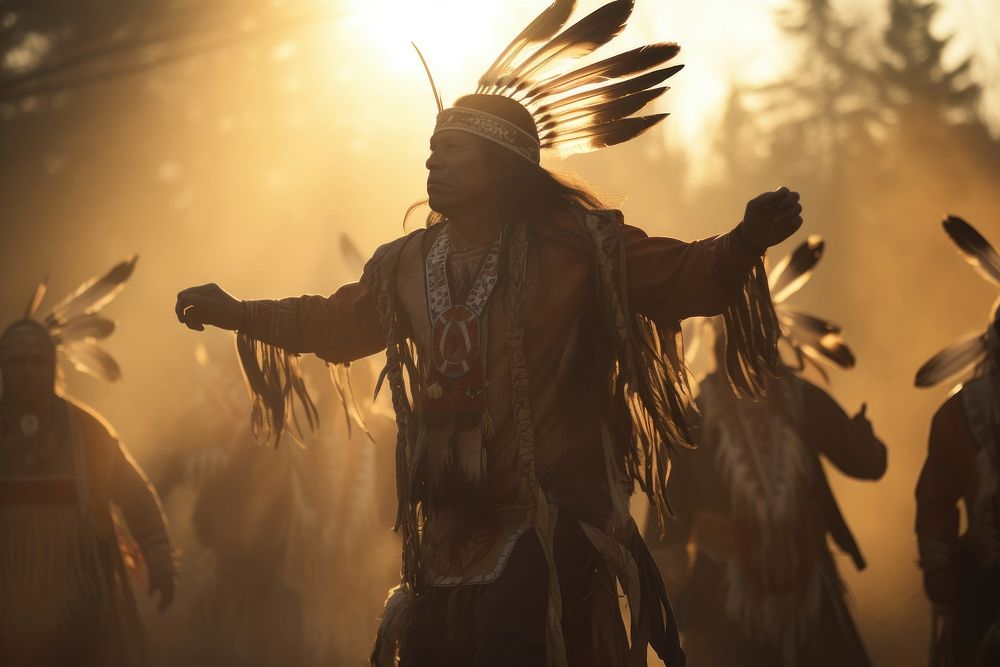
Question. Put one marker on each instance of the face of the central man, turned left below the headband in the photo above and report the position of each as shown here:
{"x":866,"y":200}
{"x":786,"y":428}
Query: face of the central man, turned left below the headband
{"x":459,"y":177}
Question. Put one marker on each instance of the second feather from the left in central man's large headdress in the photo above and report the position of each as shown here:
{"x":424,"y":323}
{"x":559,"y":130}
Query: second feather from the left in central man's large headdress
{"x":580,"y":39}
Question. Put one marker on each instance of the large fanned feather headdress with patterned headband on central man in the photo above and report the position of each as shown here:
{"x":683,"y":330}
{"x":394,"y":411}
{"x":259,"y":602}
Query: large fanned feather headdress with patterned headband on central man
{"x":536,"y":96}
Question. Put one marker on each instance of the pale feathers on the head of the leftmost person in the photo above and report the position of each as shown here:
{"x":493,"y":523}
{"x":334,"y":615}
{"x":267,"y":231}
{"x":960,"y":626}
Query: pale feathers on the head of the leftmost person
{"x":75,"y":326}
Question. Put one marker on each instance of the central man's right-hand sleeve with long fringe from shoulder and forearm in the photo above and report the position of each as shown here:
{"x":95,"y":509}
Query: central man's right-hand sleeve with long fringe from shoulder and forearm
{"x":649,"y":285}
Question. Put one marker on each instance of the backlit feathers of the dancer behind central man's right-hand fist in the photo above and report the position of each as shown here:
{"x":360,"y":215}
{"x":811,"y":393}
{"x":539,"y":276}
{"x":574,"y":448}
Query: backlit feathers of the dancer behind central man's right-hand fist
{"x":815,"y":341}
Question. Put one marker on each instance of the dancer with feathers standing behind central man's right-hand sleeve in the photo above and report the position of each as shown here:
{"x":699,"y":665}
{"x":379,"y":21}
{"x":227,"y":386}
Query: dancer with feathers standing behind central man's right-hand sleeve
{"x":755,"y":507}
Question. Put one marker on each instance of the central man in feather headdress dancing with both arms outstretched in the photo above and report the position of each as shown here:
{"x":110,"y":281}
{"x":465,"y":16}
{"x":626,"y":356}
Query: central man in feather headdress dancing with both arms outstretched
{"x":532,"y":345}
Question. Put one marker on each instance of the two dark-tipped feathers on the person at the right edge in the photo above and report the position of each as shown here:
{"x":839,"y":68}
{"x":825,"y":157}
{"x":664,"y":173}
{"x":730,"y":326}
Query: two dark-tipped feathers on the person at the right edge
{"x":970,"y":352}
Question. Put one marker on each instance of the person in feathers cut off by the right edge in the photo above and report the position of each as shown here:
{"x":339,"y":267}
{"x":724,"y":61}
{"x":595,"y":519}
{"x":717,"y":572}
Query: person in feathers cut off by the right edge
{"x":961,"y":573}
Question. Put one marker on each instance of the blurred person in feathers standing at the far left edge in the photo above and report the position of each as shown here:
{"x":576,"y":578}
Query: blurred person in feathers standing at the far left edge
{"x":64,"y":592}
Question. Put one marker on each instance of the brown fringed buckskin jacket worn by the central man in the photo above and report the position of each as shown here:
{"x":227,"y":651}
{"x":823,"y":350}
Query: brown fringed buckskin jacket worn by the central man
{"x":584,"y":382}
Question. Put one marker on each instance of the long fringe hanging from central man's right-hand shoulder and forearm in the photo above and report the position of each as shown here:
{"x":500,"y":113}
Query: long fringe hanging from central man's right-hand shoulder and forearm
{"x":652,"y":397}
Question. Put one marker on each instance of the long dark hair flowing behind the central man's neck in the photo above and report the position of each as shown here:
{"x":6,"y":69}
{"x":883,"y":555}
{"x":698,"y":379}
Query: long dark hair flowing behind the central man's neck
{"x":532,"y":194}
